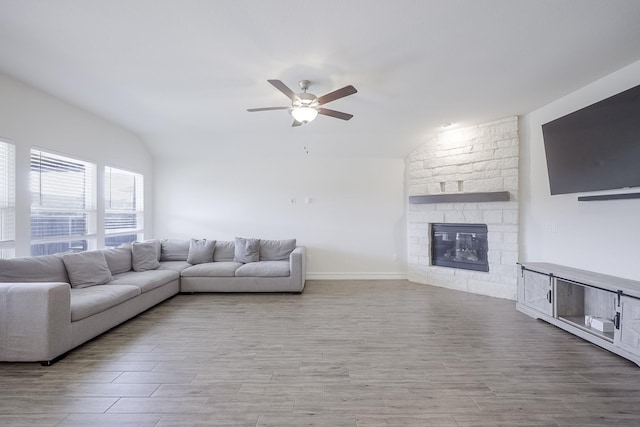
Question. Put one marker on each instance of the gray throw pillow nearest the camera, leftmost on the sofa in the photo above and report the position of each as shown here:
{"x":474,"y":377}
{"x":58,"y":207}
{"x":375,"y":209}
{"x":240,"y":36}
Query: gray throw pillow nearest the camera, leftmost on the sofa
{"x":87,"y":269}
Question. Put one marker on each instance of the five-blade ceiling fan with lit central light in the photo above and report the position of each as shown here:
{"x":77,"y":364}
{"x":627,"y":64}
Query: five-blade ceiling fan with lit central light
{"x":306,"y":106}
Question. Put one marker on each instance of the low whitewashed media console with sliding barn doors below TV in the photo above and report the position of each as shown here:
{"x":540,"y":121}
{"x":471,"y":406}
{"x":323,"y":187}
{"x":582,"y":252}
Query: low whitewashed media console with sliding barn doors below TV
{"x":602,"y":309}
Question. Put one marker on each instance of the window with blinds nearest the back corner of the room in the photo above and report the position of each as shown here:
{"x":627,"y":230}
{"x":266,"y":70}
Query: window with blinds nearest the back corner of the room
{"x":124,"y":208}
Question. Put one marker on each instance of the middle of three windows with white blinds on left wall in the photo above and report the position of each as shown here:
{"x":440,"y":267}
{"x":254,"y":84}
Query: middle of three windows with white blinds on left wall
{"x":63,"y":204}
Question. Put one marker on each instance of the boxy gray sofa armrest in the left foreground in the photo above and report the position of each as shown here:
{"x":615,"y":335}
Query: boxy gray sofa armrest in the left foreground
{"x":35,"y":321}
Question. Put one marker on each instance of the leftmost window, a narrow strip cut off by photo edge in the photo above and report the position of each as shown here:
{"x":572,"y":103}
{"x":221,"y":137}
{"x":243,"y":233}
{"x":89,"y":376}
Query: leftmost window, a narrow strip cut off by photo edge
{"x":7,"y":200}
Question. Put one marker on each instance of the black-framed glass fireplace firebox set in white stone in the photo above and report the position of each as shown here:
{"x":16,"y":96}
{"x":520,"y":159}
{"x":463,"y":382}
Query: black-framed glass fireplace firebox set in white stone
{"x":460,"y":246}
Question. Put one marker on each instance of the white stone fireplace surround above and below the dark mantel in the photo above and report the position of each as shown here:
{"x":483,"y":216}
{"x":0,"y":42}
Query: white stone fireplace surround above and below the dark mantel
{"x":480,"y":158}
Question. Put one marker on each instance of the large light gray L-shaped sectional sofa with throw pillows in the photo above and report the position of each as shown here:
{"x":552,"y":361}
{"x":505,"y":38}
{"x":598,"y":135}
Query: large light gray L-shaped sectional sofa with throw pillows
{"x":51,"y":304}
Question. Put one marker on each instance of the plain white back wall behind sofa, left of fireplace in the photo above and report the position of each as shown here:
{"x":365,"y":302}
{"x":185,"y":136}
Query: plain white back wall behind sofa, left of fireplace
{"x":353,"y":225}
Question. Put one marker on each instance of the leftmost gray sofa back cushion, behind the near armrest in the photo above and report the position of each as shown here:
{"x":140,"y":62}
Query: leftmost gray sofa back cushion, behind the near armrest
{"x":48,"y":268}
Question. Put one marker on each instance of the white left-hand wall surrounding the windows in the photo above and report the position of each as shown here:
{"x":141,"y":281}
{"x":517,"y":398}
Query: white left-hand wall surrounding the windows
{"x":31,"y":118}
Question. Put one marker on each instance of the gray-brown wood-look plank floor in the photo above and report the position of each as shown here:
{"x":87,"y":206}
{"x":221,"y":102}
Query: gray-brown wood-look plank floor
{"x":344,"y":353}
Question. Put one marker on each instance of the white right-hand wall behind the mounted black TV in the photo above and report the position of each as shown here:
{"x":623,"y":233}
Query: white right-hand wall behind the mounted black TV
{"x":596,"y":236}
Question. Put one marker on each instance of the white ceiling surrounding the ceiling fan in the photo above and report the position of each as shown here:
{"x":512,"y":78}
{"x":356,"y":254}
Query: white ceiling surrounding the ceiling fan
{"x":181,"y":74}
